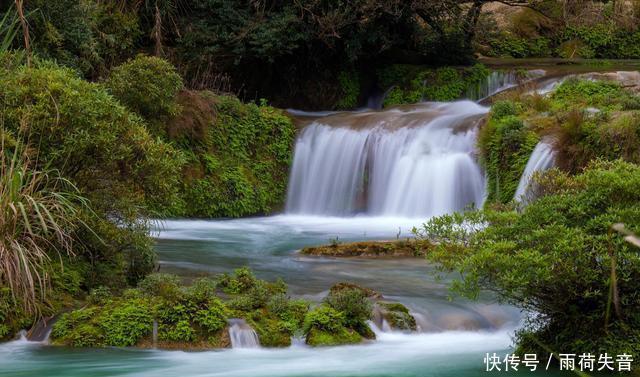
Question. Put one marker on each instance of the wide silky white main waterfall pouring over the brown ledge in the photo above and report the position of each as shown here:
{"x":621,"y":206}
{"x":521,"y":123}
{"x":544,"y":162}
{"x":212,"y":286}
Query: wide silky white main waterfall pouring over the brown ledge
{"x":411,"y":162}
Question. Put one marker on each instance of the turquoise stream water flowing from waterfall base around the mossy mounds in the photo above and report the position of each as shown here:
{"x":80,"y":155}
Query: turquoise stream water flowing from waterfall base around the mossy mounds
{"x":456,"y":334}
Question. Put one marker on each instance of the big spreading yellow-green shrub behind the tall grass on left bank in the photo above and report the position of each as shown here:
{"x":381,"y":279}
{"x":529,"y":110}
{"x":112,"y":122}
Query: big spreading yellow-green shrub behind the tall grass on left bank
{"x":105,"y":151}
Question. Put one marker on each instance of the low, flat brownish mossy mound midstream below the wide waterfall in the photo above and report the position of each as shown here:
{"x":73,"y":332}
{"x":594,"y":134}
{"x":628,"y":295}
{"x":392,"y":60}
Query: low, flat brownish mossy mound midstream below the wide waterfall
{"x":370,"y":249}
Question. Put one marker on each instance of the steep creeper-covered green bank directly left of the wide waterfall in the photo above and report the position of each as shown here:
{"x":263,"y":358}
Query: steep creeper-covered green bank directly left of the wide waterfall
{"x":239,"y":163}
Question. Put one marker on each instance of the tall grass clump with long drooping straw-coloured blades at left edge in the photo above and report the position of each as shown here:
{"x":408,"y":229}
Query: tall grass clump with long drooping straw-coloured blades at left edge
{"x":39,"y":213}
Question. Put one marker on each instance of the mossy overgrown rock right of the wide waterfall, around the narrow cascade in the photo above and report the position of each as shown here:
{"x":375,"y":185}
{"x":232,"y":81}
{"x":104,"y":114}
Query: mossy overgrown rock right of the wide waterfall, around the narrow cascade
{"x":582,"y":119}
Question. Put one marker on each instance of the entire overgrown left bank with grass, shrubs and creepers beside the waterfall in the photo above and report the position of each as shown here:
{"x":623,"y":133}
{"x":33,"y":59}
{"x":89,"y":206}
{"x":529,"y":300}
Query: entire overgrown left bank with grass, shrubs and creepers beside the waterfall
{"x":135,"y":146}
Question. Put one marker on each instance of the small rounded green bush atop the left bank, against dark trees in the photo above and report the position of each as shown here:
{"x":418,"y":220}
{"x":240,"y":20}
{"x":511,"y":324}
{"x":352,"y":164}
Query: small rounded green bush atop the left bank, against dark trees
{"x":147,"y":85}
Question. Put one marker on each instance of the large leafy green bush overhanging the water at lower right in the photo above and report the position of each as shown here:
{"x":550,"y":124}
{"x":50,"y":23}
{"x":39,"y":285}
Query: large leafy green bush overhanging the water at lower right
{"x":555,"y":257}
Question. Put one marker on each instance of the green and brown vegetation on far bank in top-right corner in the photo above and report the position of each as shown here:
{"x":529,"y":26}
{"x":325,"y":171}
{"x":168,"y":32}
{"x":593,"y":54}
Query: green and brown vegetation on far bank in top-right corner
{"x":565,"y":29}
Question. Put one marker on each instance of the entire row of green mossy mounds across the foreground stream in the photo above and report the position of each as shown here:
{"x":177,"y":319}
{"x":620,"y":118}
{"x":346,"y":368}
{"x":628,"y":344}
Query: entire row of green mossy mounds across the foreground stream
{"x":196,"y":315}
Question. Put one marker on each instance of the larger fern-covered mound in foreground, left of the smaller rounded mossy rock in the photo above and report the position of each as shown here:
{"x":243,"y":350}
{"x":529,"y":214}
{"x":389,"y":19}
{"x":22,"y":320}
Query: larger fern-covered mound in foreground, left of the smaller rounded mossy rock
{"x":186,"y":317}
